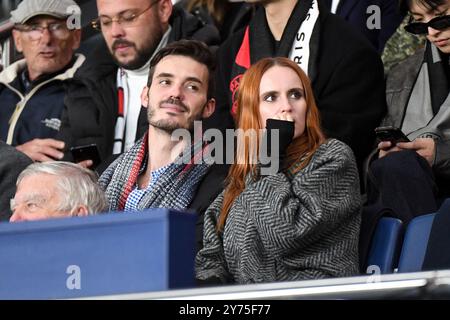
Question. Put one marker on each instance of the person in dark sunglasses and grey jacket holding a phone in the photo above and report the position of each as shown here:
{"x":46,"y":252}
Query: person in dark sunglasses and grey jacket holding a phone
{"x":411,"y":178}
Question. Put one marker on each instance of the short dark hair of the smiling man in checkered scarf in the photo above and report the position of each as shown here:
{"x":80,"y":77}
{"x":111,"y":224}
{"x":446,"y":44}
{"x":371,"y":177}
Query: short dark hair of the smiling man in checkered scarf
{"x":193,"y":49}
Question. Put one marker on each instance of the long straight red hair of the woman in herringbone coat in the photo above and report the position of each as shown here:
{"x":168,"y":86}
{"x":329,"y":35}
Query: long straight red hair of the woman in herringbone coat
{"x":248,"y":117}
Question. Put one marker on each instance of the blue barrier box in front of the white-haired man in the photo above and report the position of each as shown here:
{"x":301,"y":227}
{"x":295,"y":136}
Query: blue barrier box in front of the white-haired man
{"x":98,"y":255}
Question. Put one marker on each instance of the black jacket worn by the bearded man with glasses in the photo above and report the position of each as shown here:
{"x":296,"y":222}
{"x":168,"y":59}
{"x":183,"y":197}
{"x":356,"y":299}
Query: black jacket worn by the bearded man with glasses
{"x":91,"y":104}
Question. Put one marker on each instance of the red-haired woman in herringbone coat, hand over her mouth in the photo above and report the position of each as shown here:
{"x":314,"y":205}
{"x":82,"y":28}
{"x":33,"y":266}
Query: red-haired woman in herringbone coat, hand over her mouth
{"x":300,"y":222}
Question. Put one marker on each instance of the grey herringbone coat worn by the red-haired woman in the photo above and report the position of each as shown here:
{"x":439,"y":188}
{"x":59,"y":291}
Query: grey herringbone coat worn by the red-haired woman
{"x":281,"y":229}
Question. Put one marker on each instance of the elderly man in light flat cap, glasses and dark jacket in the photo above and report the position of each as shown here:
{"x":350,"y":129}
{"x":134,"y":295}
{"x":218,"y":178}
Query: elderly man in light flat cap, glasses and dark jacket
{"x":32,"y":90}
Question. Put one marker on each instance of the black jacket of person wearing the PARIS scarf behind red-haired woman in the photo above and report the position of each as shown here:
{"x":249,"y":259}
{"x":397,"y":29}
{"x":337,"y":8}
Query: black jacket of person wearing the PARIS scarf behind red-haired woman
{"x":348,"y":87}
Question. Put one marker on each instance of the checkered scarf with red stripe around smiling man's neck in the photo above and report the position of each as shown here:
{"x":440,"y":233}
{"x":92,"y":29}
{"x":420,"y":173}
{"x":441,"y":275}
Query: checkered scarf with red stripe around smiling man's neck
{"x":174,"y":189}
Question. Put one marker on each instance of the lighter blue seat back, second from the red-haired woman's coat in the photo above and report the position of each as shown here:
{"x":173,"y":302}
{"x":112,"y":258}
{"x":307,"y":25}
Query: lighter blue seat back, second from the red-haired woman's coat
{"x":415,"y":243}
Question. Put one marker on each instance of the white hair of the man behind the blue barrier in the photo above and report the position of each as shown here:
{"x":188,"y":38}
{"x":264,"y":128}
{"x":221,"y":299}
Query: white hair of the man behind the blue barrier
{"x":76,"y":185}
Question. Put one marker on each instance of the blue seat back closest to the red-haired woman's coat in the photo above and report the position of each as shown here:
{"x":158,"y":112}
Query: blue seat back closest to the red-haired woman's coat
{"x":385,"y":246}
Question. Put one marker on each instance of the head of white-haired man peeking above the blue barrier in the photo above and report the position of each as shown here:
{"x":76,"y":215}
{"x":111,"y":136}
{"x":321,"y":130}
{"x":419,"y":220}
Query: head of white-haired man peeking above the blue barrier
{"x":55,"y":190}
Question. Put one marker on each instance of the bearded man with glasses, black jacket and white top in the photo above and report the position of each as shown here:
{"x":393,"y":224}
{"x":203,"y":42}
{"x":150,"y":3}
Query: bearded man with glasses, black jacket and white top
{"x":103,"y":106}
